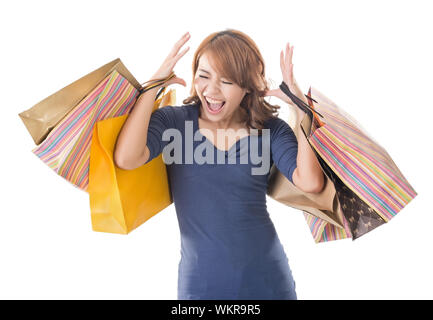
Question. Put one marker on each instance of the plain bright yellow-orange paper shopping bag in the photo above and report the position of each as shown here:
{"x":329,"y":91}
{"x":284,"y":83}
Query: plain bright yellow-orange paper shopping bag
{"x":121,"y":200}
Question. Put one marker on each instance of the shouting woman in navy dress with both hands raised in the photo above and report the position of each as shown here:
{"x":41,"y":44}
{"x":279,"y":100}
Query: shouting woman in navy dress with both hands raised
{"x":229,"y":246}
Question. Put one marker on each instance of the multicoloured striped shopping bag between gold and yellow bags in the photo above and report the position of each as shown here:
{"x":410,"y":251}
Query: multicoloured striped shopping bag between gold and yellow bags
{"x":66,"y":149}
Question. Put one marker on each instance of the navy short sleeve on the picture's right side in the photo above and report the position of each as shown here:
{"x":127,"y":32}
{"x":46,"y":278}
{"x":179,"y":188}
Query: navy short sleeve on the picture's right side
{"x":284,"y":147}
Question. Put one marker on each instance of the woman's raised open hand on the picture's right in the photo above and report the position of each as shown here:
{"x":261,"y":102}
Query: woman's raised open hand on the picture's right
{"x":286,"y":66}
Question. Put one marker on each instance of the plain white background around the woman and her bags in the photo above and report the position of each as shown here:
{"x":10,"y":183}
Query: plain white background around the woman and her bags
{"x":373,"y":58}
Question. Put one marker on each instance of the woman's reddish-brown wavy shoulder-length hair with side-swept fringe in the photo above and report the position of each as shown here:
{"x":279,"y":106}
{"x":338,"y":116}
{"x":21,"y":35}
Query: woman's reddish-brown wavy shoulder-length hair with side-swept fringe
{"x":237,"y":58}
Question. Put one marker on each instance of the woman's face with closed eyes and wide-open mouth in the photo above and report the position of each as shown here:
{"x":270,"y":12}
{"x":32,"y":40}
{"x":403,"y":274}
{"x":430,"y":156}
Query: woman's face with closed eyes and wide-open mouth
{"x":220,"y":97}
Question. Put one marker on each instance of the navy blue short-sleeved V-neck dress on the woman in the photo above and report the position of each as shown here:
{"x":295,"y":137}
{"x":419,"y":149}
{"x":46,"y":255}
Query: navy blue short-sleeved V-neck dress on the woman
{"x":229,"y":245}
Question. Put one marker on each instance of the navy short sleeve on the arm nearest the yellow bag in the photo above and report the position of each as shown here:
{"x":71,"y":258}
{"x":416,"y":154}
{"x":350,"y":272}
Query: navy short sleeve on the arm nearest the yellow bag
{"x":160,"y":120}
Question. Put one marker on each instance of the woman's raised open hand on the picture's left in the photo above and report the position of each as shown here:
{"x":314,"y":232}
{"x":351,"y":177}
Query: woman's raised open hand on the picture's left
{"x":167,"y":66}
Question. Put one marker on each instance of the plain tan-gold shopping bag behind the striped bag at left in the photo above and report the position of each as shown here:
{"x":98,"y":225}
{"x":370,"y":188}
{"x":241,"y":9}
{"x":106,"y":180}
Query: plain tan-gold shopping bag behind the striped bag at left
{"x":45,"y":115}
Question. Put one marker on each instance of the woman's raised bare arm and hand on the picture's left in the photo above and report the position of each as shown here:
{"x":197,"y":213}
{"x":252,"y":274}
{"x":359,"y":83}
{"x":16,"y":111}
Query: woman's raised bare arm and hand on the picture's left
{"x":131,"y":150}
